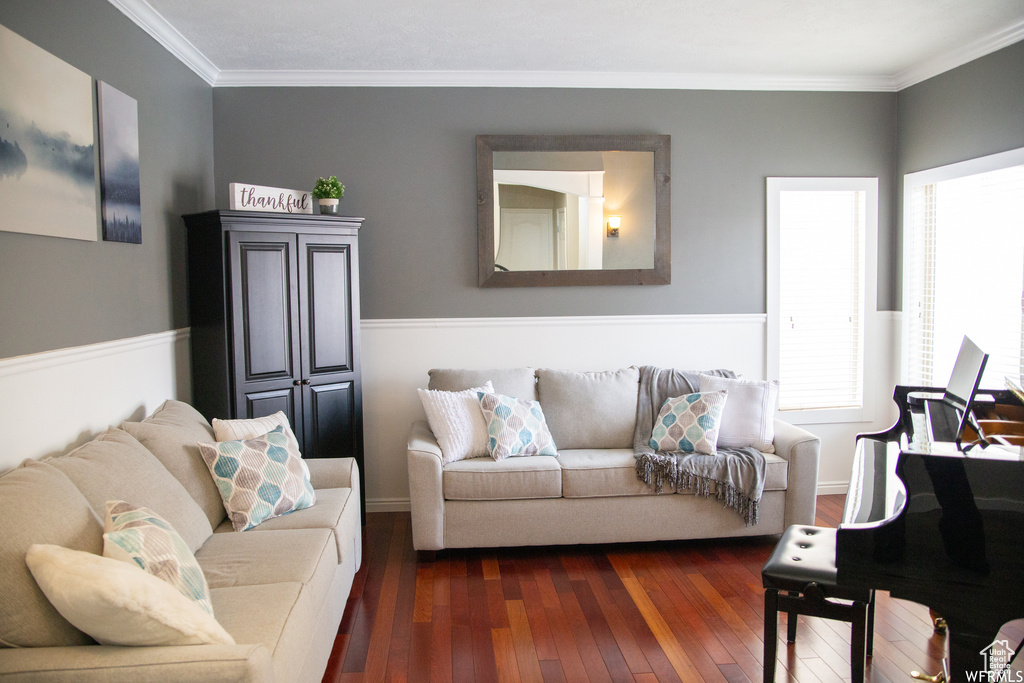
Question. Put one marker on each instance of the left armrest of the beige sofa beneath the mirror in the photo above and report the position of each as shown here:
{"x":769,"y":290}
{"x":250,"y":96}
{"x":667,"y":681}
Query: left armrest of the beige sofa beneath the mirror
{"x":425,"y":494}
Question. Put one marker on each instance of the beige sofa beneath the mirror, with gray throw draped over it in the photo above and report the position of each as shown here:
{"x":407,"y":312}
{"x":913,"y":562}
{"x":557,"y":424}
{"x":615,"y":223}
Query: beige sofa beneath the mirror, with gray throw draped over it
{"x":590,"y":493}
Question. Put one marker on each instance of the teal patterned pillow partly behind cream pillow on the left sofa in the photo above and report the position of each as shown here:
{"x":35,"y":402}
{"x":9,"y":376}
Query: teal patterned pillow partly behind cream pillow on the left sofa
{"x":139,"y":536}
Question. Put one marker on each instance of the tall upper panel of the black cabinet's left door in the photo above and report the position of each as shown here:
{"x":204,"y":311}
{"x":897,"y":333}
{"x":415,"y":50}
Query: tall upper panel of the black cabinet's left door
{"x":265,"y":307}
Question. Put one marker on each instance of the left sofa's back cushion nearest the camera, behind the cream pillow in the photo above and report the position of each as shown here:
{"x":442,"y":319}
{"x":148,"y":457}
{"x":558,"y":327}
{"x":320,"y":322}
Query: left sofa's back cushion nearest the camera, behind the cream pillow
{"x":39,"y":504}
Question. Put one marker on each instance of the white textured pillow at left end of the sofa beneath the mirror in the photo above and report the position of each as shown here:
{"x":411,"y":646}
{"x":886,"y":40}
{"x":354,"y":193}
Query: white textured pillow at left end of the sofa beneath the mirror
{"x":457,"y":421}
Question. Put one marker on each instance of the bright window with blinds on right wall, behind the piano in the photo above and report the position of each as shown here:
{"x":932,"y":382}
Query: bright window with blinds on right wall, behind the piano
{"x":964,"y":268}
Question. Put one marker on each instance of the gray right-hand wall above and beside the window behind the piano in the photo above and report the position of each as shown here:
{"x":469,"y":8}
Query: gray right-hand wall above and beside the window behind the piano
{"x":973,"y":111}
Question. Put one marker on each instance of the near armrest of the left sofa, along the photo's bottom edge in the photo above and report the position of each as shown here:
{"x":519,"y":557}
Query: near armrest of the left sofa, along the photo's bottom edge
{"x":105,"y":663}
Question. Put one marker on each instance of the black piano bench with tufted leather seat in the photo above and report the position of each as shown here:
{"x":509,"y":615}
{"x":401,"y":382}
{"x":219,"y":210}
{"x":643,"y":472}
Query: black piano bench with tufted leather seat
{"x":800,"y":579}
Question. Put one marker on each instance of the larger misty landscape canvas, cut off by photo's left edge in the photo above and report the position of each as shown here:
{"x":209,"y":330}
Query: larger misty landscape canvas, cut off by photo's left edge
{"x":48,"y":148}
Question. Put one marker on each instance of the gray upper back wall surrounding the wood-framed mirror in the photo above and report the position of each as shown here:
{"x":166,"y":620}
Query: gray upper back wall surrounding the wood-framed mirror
{"x":407,"y":158}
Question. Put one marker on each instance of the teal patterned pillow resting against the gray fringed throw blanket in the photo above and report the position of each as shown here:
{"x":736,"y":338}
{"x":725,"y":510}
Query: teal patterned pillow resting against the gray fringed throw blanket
{"x":690,"y":424}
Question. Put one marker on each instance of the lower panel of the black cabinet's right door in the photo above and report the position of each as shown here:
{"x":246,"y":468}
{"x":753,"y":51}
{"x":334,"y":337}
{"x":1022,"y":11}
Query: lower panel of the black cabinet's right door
{"x":331,"y":430}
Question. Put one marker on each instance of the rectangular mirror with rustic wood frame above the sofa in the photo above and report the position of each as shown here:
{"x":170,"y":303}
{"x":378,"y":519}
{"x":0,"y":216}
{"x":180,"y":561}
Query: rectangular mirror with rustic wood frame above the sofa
{"x":573,"y":210}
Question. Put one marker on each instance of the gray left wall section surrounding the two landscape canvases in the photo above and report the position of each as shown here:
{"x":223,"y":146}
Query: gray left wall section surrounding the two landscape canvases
{"x":57,"y":293}
